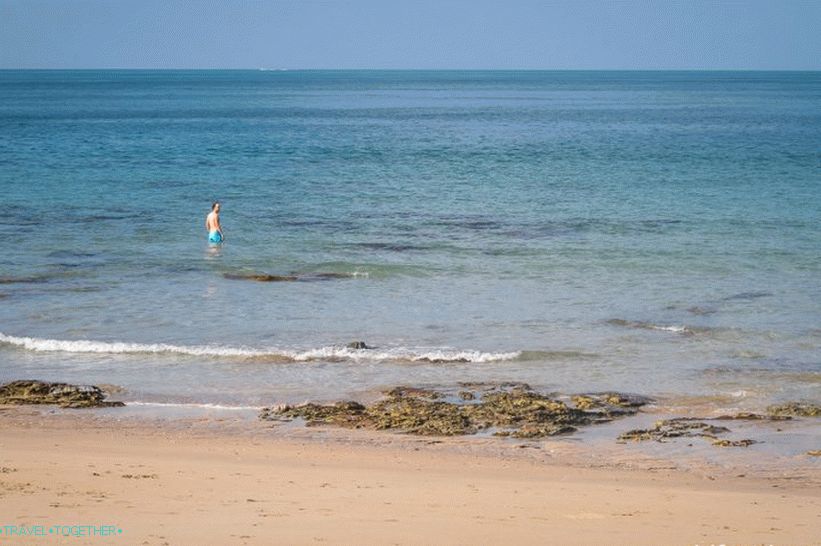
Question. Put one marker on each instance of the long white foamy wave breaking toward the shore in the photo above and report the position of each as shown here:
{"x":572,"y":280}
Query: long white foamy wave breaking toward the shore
{"x":332,"y":353}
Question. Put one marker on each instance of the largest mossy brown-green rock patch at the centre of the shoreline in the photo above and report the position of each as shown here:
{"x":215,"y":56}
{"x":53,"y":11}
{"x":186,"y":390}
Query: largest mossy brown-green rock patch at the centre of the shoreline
{"x":511,"y":409}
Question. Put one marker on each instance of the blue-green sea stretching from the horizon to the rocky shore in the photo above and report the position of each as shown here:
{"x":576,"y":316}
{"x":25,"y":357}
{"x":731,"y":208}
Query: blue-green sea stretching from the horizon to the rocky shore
{"x":648,"y":232}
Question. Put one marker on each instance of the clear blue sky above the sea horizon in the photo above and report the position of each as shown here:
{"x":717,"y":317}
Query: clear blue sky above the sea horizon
{"x":661,"y":34}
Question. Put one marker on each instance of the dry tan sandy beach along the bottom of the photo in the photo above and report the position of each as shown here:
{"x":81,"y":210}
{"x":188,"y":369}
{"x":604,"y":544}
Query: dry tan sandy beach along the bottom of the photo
{"x":163,"y":483}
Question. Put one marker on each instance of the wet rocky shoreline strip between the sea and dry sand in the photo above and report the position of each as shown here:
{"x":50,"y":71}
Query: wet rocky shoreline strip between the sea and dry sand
{"x":605,"y":430}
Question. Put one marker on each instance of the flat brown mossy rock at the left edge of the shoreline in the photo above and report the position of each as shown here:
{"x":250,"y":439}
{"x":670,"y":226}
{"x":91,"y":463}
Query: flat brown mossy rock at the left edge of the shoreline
{"x":60,"y":394}
